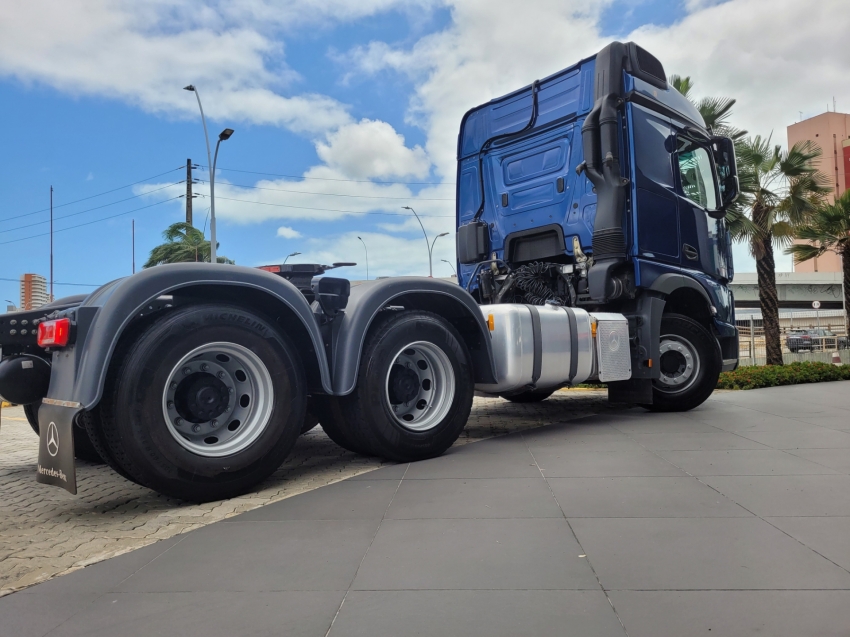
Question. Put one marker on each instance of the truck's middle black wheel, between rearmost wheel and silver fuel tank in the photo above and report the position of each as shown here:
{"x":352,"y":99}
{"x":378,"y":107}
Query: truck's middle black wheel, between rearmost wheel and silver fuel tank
{"x":435,"y":422}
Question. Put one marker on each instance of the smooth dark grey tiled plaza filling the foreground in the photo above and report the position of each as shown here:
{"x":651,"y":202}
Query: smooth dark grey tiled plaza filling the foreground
{"x":732,"y":519}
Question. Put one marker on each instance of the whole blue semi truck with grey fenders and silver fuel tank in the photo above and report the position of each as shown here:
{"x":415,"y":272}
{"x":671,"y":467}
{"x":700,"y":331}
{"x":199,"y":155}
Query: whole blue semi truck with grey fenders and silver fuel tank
{"x":591,"y":247}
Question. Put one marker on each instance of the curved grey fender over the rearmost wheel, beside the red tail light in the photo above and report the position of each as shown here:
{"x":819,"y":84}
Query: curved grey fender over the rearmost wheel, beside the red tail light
{"x":79,"y":372}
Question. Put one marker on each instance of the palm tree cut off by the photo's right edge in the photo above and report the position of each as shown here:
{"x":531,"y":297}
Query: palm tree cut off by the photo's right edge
{"x":828,"y":230}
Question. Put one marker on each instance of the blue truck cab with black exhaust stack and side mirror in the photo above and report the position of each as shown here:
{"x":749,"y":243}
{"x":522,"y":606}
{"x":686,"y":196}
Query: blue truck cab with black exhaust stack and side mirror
{"x":601,"y":187}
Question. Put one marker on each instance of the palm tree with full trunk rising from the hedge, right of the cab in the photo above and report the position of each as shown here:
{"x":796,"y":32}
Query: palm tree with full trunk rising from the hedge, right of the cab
{"x":782,"y":190}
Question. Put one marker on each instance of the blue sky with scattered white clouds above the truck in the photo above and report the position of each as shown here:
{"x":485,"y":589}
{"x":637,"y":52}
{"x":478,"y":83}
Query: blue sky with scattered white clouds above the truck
{"x":344,"y":111}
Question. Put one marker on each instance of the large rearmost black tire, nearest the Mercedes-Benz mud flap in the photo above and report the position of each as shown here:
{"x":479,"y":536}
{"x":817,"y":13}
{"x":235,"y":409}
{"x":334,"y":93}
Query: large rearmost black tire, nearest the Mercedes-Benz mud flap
{"x":146,"y":446}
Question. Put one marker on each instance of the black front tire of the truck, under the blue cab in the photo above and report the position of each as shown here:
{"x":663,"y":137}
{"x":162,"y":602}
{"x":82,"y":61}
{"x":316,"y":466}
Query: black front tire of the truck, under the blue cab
{"x":696,"y":386}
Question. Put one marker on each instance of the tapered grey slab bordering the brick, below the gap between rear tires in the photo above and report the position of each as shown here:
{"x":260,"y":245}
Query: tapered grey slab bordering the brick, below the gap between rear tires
{"x":348,"y":500}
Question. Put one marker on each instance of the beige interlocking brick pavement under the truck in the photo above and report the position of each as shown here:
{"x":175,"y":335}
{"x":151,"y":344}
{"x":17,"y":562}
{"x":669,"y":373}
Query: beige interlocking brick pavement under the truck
{"x":45,"y":531}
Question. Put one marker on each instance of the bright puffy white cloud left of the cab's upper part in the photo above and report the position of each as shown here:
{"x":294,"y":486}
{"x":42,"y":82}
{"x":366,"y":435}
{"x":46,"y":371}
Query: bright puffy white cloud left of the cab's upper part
{"x":372,"y":149}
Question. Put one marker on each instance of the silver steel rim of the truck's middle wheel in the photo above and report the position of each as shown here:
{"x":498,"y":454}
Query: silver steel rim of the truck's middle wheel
{"x":434,"y":394}
